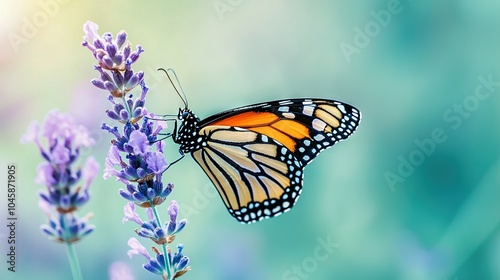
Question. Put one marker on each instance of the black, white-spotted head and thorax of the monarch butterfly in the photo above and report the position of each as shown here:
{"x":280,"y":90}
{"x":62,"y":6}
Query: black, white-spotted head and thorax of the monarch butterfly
{"x":187,"y":135}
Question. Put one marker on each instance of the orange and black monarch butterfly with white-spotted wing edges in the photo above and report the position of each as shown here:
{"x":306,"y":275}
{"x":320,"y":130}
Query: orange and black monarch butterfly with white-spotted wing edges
{"x":255,"y":155}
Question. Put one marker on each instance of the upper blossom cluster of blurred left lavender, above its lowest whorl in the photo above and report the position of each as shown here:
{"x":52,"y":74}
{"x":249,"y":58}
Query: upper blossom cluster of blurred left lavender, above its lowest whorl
{"x":64,"y":139}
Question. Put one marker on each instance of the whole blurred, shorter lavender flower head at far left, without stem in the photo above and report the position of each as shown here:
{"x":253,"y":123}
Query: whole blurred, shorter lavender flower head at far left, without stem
{"x":64,"y":139}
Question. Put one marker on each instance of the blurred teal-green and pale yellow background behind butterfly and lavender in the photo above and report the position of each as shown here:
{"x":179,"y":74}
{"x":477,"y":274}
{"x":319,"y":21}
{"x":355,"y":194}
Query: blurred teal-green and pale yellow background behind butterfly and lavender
{"x":413,"y":76}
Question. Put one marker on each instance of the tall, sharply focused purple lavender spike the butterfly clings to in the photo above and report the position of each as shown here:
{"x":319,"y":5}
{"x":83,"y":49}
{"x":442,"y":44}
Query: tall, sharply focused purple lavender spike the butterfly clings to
{"x":136,"y":156}
